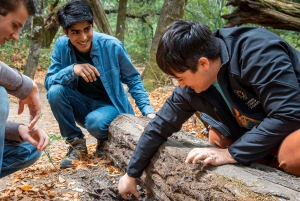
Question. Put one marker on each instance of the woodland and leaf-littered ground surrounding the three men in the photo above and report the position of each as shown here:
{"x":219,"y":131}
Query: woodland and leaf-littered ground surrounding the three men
{"x":138,"y":24}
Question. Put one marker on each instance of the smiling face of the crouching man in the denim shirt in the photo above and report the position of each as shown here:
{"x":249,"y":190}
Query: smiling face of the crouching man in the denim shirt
{"x":81,"y":35}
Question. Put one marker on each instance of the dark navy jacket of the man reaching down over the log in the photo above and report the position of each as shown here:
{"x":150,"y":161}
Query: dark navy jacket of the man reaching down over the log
{"x":259,"y":76}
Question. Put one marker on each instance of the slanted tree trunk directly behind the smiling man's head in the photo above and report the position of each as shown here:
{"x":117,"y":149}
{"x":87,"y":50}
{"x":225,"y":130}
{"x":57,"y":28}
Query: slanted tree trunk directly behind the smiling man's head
{"x":100,"y":16}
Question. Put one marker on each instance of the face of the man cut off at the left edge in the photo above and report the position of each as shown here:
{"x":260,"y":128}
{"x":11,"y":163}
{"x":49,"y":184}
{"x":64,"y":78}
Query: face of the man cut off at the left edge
{"x":11,"y":24}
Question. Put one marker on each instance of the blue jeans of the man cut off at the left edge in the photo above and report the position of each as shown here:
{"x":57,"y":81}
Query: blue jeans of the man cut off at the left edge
{"x":13,"y":155}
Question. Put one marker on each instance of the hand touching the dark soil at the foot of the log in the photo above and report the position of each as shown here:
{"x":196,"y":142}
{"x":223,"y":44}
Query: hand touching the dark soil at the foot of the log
{"x":127,"y":188}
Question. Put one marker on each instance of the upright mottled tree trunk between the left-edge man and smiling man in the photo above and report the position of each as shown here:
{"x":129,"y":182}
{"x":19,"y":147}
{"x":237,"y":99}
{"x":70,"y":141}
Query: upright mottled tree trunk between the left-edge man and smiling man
{"x":36,"y":41}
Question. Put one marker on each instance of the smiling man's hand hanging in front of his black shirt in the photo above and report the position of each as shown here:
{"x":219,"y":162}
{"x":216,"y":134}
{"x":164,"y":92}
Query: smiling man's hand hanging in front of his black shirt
{"x":88,"y":72}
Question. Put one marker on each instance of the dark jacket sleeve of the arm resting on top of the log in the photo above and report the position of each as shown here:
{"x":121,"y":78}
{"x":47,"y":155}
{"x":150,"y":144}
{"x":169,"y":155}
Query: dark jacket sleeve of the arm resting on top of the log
{"x":266,"y":66}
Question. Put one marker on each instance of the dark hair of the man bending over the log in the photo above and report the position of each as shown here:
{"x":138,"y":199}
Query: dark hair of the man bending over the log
{"x":183,"y":44}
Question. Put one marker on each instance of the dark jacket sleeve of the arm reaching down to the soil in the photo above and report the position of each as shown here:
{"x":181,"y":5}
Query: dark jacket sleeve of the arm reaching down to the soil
{"x":169,"y":119}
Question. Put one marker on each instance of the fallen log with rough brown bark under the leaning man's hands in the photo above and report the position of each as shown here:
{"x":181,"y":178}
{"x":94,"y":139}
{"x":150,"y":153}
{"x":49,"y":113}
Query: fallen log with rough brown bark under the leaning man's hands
{"x":169,"y":178}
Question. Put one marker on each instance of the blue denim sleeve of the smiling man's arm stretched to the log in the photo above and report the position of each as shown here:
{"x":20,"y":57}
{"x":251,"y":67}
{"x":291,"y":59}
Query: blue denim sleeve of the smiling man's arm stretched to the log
{"x":131,"y":77}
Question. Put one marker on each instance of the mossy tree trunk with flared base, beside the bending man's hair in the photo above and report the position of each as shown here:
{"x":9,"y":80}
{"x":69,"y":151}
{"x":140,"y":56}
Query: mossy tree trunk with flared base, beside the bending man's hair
{"x":153,"y":77}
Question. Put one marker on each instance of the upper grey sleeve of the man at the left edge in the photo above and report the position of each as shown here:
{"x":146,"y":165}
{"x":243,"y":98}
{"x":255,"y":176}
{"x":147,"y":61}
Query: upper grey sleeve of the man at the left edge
{"x":14,"y":82}
